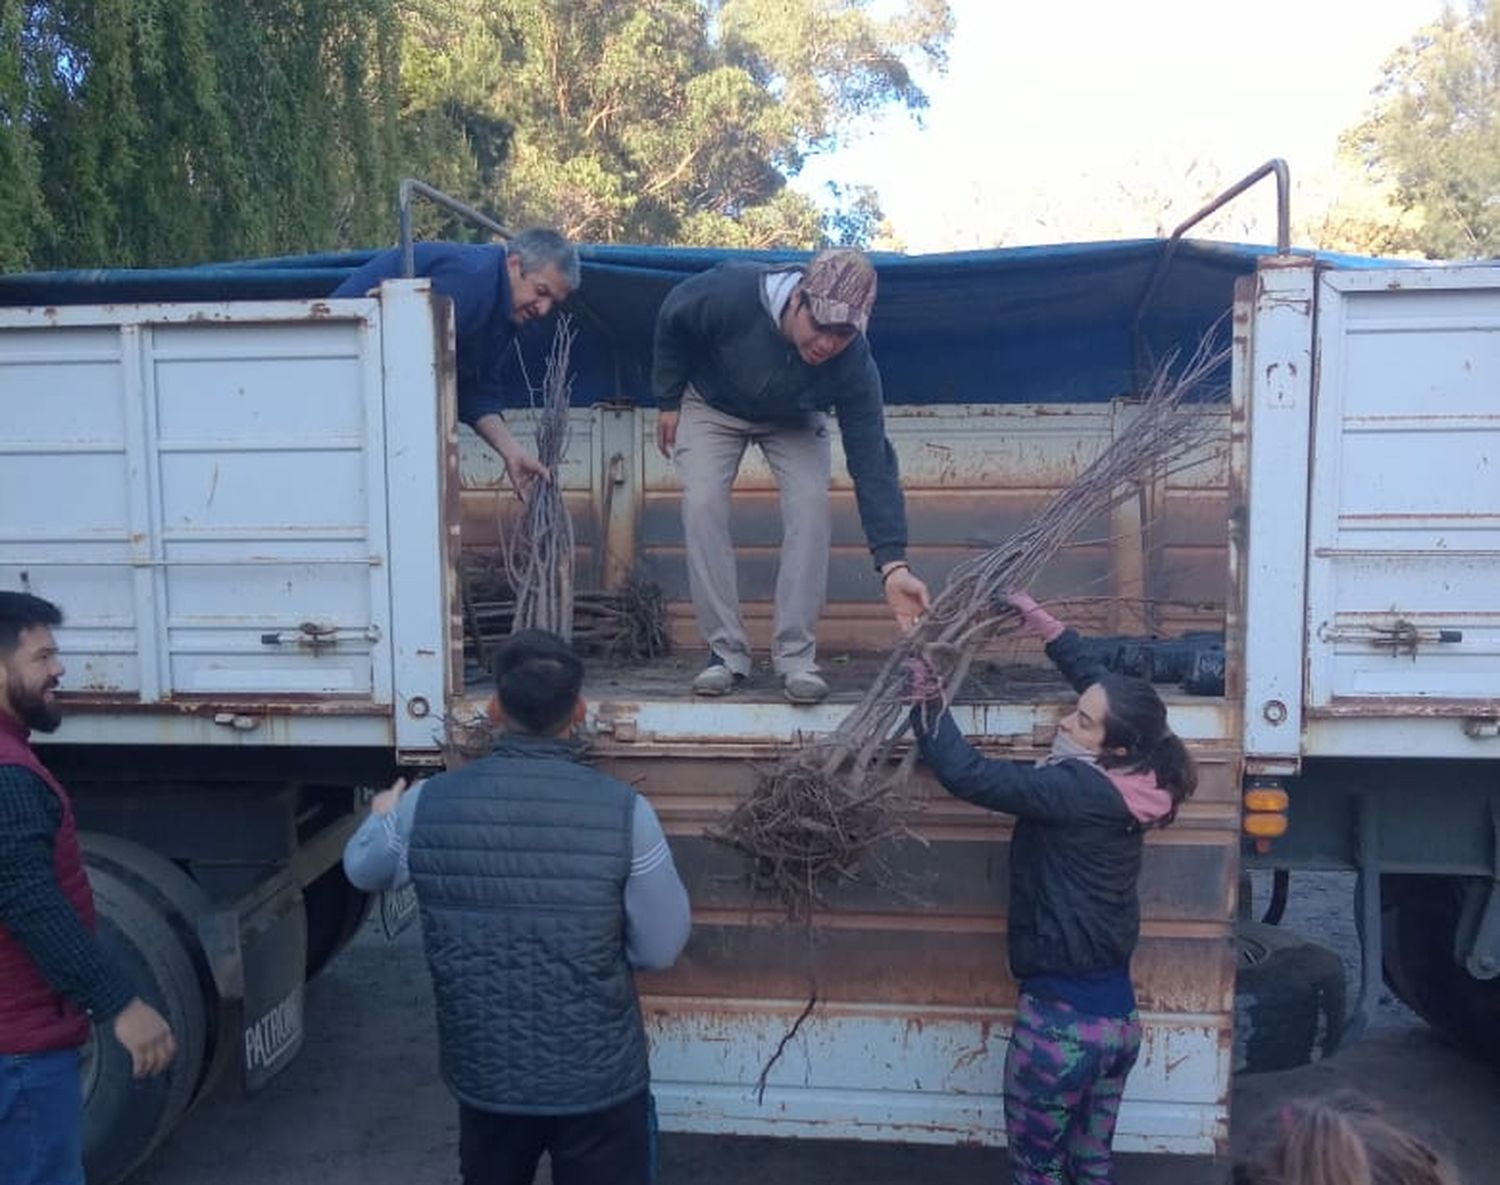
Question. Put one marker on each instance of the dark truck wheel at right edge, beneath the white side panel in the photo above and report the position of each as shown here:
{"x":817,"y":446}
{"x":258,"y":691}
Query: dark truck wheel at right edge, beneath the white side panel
{"x":1420,"y":926}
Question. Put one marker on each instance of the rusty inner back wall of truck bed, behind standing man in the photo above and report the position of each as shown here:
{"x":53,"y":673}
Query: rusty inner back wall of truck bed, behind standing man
{"x":973,"y":476}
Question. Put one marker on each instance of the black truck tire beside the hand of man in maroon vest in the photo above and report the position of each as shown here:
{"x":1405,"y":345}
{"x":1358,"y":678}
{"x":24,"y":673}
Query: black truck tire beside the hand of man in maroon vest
{"x":127,"y":1118}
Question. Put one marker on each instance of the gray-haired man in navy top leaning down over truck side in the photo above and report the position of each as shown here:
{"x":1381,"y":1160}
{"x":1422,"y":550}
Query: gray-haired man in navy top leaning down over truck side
{"x":496,"y":289}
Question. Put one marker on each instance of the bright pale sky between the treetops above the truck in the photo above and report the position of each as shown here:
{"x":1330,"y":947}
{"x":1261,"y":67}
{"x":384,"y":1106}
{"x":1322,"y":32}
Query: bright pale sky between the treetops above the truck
{"x":1102,"y":119}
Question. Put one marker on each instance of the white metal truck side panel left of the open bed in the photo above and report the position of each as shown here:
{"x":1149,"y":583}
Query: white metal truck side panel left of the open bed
{"x":208,"y":493}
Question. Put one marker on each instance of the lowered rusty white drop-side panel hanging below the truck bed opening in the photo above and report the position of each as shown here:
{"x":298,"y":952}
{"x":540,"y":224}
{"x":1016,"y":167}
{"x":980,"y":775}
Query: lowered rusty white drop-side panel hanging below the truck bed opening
{"x":914,"y":994}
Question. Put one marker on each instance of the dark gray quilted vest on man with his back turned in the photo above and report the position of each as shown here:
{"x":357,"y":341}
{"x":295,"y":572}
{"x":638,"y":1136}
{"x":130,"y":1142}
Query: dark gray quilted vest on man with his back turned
{"x":520,"y":863}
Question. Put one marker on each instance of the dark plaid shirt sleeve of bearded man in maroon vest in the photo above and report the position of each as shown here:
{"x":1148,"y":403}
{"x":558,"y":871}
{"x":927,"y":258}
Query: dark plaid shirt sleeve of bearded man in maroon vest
{"x":34,"y":907}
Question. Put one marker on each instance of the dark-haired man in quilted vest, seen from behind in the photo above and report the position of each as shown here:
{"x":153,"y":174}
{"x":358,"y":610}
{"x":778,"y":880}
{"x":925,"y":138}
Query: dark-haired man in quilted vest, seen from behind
{"x":541,"y":884}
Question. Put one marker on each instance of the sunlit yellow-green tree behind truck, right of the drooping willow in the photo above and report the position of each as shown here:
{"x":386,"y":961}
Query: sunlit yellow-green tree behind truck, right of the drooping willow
{"x":656,"y":121}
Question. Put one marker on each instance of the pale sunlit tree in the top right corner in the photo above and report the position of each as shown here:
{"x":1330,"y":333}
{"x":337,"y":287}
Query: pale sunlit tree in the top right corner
{"x":1433,"y":136}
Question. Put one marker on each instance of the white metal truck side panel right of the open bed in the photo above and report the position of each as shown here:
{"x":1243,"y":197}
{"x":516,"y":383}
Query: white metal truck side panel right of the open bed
{"x":1405,"y":550}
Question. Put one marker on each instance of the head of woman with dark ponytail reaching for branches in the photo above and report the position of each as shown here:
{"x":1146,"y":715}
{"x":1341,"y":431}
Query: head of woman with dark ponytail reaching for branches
{"x":1123,"y":722}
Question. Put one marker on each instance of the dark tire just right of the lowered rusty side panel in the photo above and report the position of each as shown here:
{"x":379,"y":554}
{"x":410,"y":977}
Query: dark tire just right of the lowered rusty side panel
{"x":1289,"y":1000}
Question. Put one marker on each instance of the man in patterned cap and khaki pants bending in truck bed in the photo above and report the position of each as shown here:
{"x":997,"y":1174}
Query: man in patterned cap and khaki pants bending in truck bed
{"x":758,"y":355}
